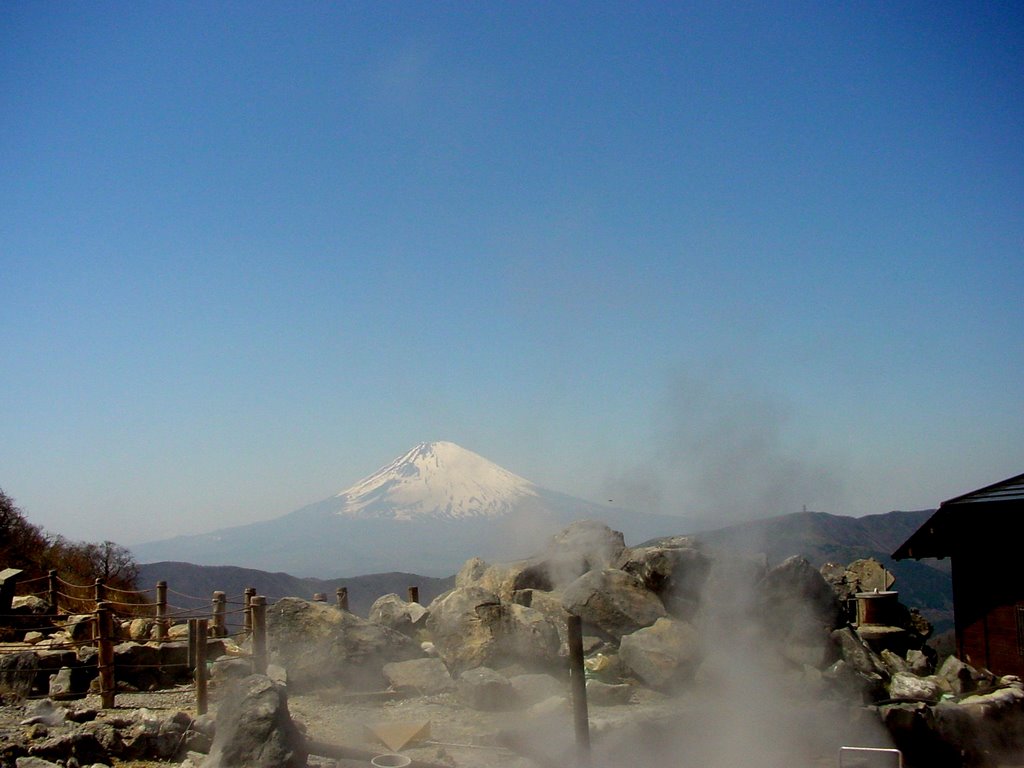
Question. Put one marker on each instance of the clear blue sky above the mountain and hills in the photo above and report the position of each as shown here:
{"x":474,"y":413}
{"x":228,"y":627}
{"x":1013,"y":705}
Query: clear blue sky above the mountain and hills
{"x":714,"y":259}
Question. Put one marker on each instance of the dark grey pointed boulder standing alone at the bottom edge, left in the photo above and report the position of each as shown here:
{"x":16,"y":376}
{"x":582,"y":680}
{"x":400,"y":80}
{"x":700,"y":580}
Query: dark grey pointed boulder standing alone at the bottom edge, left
{"x":255,"y":730}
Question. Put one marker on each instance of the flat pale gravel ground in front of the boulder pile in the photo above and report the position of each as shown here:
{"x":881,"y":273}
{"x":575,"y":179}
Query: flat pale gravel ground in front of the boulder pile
{"x":459,"y":737}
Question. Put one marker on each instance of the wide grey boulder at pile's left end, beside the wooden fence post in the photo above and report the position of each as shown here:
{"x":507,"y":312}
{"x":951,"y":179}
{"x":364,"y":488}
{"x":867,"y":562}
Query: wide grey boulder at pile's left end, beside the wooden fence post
{"x":320,"y":645}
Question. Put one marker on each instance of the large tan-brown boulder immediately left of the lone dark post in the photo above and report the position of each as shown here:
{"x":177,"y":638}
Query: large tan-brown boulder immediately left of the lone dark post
{"x":472,"y":627}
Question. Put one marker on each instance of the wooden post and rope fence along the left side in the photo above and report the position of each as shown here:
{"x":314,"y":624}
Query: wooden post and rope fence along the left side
{"x":91,"y":619}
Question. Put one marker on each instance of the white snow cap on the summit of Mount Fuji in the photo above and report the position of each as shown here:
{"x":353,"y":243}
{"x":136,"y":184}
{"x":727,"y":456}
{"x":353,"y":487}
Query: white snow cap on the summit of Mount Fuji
{"x":437,"y":480}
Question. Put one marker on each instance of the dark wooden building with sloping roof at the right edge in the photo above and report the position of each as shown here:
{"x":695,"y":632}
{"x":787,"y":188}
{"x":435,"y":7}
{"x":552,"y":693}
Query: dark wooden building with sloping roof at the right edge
{"x":980,"y":533}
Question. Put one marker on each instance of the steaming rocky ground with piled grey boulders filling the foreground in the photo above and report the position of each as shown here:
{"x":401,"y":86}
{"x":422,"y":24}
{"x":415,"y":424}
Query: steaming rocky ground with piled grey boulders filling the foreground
{"x":690,"y":661}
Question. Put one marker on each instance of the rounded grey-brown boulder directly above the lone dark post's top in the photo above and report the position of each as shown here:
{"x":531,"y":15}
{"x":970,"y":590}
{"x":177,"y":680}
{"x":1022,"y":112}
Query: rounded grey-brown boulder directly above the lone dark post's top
{"x":613,"y":602}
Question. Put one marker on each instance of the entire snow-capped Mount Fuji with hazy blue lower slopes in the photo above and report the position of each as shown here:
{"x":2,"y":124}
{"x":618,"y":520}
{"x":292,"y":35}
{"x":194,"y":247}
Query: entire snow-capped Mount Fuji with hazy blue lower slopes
{"x":428,"y":513}
